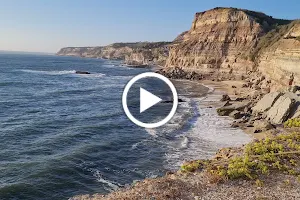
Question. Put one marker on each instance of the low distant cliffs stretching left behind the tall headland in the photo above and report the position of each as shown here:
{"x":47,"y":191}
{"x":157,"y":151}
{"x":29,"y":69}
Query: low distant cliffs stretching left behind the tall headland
{"x":140,"y":53}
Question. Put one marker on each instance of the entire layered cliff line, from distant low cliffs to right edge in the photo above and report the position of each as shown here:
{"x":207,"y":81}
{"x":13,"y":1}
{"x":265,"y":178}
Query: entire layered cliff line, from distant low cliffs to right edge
{"x":222,"y":43}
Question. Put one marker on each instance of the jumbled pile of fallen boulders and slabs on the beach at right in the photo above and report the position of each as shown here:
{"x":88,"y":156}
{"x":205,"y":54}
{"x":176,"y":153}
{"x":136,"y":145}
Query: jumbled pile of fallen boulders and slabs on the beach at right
{"x":272,"y":109}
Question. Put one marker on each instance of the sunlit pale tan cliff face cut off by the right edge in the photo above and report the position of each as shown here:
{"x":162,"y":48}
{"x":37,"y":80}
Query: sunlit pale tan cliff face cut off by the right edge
{"x":282,"y":58}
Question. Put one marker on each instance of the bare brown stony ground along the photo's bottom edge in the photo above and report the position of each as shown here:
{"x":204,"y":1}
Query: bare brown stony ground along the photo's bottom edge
{"x":197,"y":186}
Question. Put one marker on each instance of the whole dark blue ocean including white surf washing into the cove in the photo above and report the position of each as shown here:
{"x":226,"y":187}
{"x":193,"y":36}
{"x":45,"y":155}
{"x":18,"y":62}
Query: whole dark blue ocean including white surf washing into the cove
{"x":64,"y":134}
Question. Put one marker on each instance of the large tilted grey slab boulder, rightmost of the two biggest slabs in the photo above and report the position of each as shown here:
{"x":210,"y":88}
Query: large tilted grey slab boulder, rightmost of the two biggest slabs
{"x":281,"y":109}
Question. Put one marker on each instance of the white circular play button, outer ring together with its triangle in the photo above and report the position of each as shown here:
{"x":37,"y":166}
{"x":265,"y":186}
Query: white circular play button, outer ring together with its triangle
{"x":148,"y":100}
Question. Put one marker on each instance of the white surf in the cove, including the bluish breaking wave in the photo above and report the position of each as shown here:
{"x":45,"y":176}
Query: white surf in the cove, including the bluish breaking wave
{"x":196,"y":131}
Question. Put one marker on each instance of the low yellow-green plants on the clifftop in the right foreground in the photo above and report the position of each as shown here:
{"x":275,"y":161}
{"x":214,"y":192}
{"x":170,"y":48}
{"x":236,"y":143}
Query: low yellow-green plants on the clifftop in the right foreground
{"x":280,"y":153}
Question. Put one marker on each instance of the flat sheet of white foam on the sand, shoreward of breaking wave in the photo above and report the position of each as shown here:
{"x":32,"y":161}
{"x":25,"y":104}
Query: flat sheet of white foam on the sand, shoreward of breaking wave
{"x":207,"y":134}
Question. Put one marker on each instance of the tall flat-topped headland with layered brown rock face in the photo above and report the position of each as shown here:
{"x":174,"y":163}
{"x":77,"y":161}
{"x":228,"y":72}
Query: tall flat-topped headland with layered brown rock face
{"x":220,"y":42}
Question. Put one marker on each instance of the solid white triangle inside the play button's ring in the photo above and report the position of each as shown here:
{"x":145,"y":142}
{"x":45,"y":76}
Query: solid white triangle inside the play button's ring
{"x":147,"y":100}
